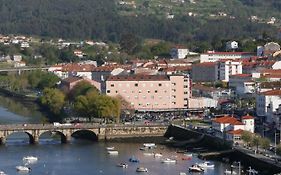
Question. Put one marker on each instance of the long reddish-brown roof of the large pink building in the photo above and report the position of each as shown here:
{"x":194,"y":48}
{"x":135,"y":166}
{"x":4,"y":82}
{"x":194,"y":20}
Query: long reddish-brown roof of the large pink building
{"x":138,"y":77}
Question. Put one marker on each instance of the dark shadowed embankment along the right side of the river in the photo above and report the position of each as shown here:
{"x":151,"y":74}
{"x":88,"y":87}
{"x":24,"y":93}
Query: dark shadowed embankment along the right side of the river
{"x":217,"y":149}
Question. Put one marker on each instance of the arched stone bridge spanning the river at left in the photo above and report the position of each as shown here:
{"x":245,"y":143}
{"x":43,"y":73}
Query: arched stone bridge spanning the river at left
{"x":101,"y":132}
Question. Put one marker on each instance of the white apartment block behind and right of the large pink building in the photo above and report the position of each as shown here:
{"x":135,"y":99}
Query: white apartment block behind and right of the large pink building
{"x":227,"y":68}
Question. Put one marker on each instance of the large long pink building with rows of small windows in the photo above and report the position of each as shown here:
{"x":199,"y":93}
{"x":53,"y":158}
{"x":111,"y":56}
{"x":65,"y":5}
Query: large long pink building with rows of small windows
{"x":151,"y":92}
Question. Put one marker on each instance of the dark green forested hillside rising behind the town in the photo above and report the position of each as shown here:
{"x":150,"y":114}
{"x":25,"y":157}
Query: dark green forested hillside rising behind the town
{"x":105,"y":20}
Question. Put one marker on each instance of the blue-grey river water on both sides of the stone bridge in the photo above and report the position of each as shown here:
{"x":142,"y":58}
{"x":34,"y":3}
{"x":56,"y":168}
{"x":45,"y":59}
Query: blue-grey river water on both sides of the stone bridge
{"x":82,"y":157}
